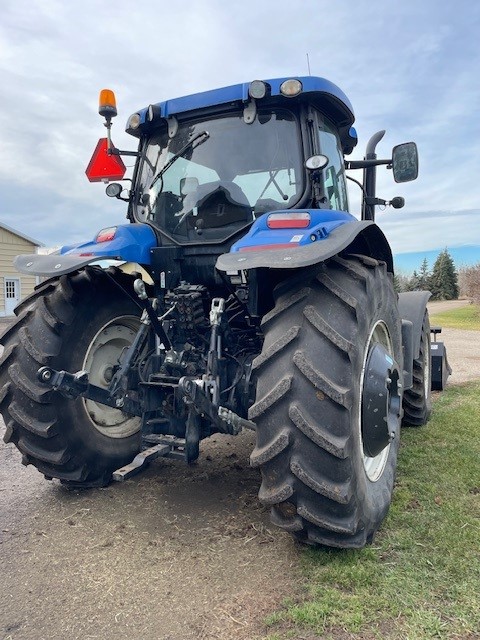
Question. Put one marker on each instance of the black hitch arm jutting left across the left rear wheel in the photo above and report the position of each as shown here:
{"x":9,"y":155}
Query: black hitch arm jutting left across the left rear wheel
{"x":73,"y":385}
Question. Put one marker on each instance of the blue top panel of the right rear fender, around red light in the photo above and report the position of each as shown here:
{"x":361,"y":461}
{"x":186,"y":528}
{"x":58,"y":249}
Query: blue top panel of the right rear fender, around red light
{"x":322,"y":223}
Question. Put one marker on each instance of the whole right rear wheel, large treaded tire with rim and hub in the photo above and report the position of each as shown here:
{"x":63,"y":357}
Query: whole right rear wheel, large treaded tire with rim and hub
{"x":328,"y":403}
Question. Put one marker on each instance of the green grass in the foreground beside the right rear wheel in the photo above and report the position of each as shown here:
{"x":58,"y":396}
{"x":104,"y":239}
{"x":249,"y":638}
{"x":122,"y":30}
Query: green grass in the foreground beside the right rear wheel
{"x":420,"y":580}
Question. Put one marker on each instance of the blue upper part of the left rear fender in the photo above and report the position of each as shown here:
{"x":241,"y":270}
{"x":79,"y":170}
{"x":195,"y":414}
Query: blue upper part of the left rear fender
{"x":132,"y":242}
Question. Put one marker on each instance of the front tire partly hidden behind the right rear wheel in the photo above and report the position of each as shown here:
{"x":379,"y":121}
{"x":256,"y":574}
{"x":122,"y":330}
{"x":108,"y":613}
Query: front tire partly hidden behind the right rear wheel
{"x":417,"y":401}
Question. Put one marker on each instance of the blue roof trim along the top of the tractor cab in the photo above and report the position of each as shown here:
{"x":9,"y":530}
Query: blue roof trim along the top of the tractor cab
{"x":239,"y":93}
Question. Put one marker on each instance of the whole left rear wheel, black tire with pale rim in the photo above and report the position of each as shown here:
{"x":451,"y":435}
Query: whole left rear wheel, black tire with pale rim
{"x":81,"y":321}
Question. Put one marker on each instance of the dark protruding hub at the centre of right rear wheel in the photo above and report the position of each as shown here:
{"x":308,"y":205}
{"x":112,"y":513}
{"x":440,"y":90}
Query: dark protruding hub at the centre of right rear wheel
{"x":381,"y":401}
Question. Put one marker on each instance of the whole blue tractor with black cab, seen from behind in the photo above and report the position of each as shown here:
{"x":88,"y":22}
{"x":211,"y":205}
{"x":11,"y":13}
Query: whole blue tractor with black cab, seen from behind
{"x":242,"y":294}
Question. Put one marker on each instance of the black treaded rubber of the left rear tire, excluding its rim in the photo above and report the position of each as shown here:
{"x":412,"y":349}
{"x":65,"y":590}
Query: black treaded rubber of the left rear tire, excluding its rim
{"x":40,"y":421}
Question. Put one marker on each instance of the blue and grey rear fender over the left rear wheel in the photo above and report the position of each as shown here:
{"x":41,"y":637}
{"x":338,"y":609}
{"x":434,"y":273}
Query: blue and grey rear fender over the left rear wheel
{"x":129,"y":243}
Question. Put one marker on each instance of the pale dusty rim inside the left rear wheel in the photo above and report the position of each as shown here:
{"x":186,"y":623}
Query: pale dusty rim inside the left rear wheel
{"x":101,"y":358}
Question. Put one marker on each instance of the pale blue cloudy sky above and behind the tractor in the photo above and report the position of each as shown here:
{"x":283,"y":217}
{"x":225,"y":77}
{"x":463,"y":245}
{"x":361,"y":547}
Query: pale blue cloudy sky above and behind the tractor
{"x":410,"y":67}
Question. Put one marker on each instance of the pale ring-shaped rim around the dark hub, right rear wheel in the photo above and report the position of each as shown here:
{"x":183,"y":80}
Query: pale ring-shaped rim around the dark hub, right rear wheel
{"x":375,"y":465}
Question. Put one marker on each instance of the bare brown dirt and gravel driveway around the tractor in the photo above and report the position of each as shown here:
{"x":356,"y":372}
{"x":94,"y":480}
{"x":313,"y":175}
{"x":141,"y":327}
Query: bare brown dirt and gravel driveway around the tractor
{"x":176,"y":553}
